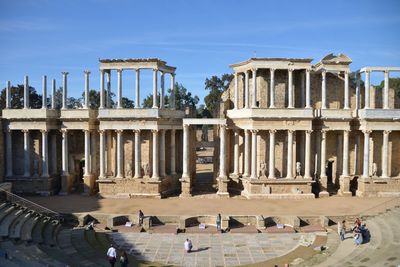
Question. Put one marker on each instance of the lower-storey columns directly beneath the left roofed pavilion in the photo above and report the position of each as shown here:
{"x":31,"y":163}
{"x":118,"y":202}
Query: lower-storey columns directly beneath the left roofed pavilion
{"x":159,"y":157}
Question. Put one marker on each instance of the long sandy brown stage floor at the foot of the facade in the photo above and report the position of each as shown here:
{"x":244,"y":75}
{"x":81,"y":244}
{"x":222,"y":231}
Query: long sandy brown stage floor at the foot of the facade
{"x":204,"y":205}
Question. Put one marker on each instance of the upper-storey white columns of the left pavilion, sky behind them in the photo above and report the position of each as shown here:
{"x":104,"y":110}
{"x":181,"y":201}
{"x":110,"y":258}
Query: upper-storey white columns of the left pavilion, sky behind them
{"x":105,"y":98}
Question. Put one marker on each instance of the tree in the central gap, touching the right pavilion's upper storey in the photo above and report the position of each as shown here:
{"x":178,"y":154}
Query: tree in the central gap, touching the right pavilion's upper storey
{"x":216,"y":86}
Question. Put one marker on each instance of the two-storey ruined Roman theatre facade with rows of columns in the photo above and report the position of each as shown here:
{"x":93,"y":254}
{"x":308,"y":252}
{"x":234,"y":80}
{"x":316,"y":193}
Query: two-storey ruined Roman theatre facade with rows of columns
{"x":287,"y":129}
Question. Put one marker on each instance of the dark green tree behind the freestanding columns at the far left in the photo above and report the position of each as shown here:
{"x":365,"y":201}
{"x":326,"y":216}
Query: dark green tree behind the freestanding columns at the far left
{"x":17,"y":97}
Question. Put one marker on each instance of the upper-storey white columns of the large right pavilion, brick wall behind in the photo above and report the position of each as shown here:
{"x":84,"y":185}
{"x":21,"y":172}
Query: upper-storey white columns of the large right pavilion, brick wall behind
{"x":290,"y":89}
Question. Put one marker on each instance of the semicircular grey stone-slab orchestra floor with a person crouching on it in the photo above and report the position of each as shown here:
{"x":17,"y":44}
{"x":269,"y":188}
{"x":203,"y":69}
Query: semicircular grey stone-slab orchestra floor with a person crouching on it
{"x":210,"y":250}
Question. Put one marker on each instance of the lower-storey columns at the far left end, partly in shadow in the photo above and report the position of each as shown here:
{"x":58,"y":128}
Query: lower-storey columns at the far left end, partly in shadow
{"x":27,"y":154}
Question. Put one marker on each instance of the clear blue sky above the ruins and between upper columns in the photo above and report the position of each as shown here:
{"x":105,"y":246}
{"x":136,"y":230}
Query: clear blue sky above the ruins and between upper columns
{"x":200,"y":38}
